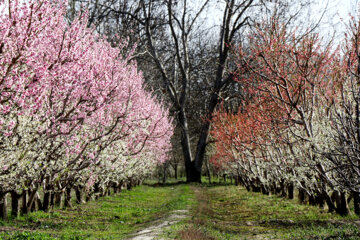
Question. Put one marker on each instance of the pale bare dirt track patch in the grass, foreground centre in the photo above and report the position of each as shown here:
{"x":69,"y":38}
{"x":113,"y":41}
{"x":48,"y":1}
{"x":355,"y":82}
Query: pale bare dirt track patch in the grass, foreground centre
{"x":157,"y":228}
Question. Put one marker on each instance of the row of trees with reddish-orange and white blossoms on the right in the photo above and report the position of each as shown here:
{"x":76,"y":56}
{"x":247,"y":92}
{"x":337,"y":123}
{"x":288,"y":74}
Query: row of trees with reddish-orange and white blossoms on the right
{"x":298,"y":126}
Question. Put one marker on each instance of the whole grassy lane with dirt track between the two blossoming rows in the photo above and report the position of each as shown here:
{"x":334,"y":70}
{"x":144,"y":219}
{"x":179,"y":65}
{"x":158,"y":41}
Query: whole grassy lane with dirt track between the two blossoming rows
{"x":187,"y":212}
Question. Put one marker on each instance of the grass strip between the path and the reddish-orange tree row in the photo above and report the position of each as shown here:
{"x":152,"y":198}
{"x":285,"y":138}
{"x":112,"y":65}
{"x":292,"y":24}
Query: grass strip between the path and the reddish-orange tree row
{"x":229,"y":212}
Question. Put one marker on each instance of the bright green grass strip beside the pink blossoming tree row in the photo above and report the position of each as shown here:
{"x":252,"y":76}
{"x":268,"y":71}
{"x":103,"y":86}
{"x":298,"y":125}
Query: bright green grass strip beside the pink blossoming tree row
{"x":111,"y":217}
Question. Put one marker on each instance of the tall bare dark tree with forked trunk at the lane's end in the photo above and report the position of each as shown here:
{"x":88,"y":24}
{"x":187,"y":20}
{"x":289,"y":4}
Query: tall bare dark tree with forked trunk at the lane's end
{"x":187,"y":46}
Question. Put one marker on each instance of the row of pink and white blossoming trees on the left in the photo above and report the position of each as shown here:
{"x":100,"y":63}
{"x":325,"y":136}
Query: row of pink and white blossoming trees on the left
{"x":73,"y":110}
